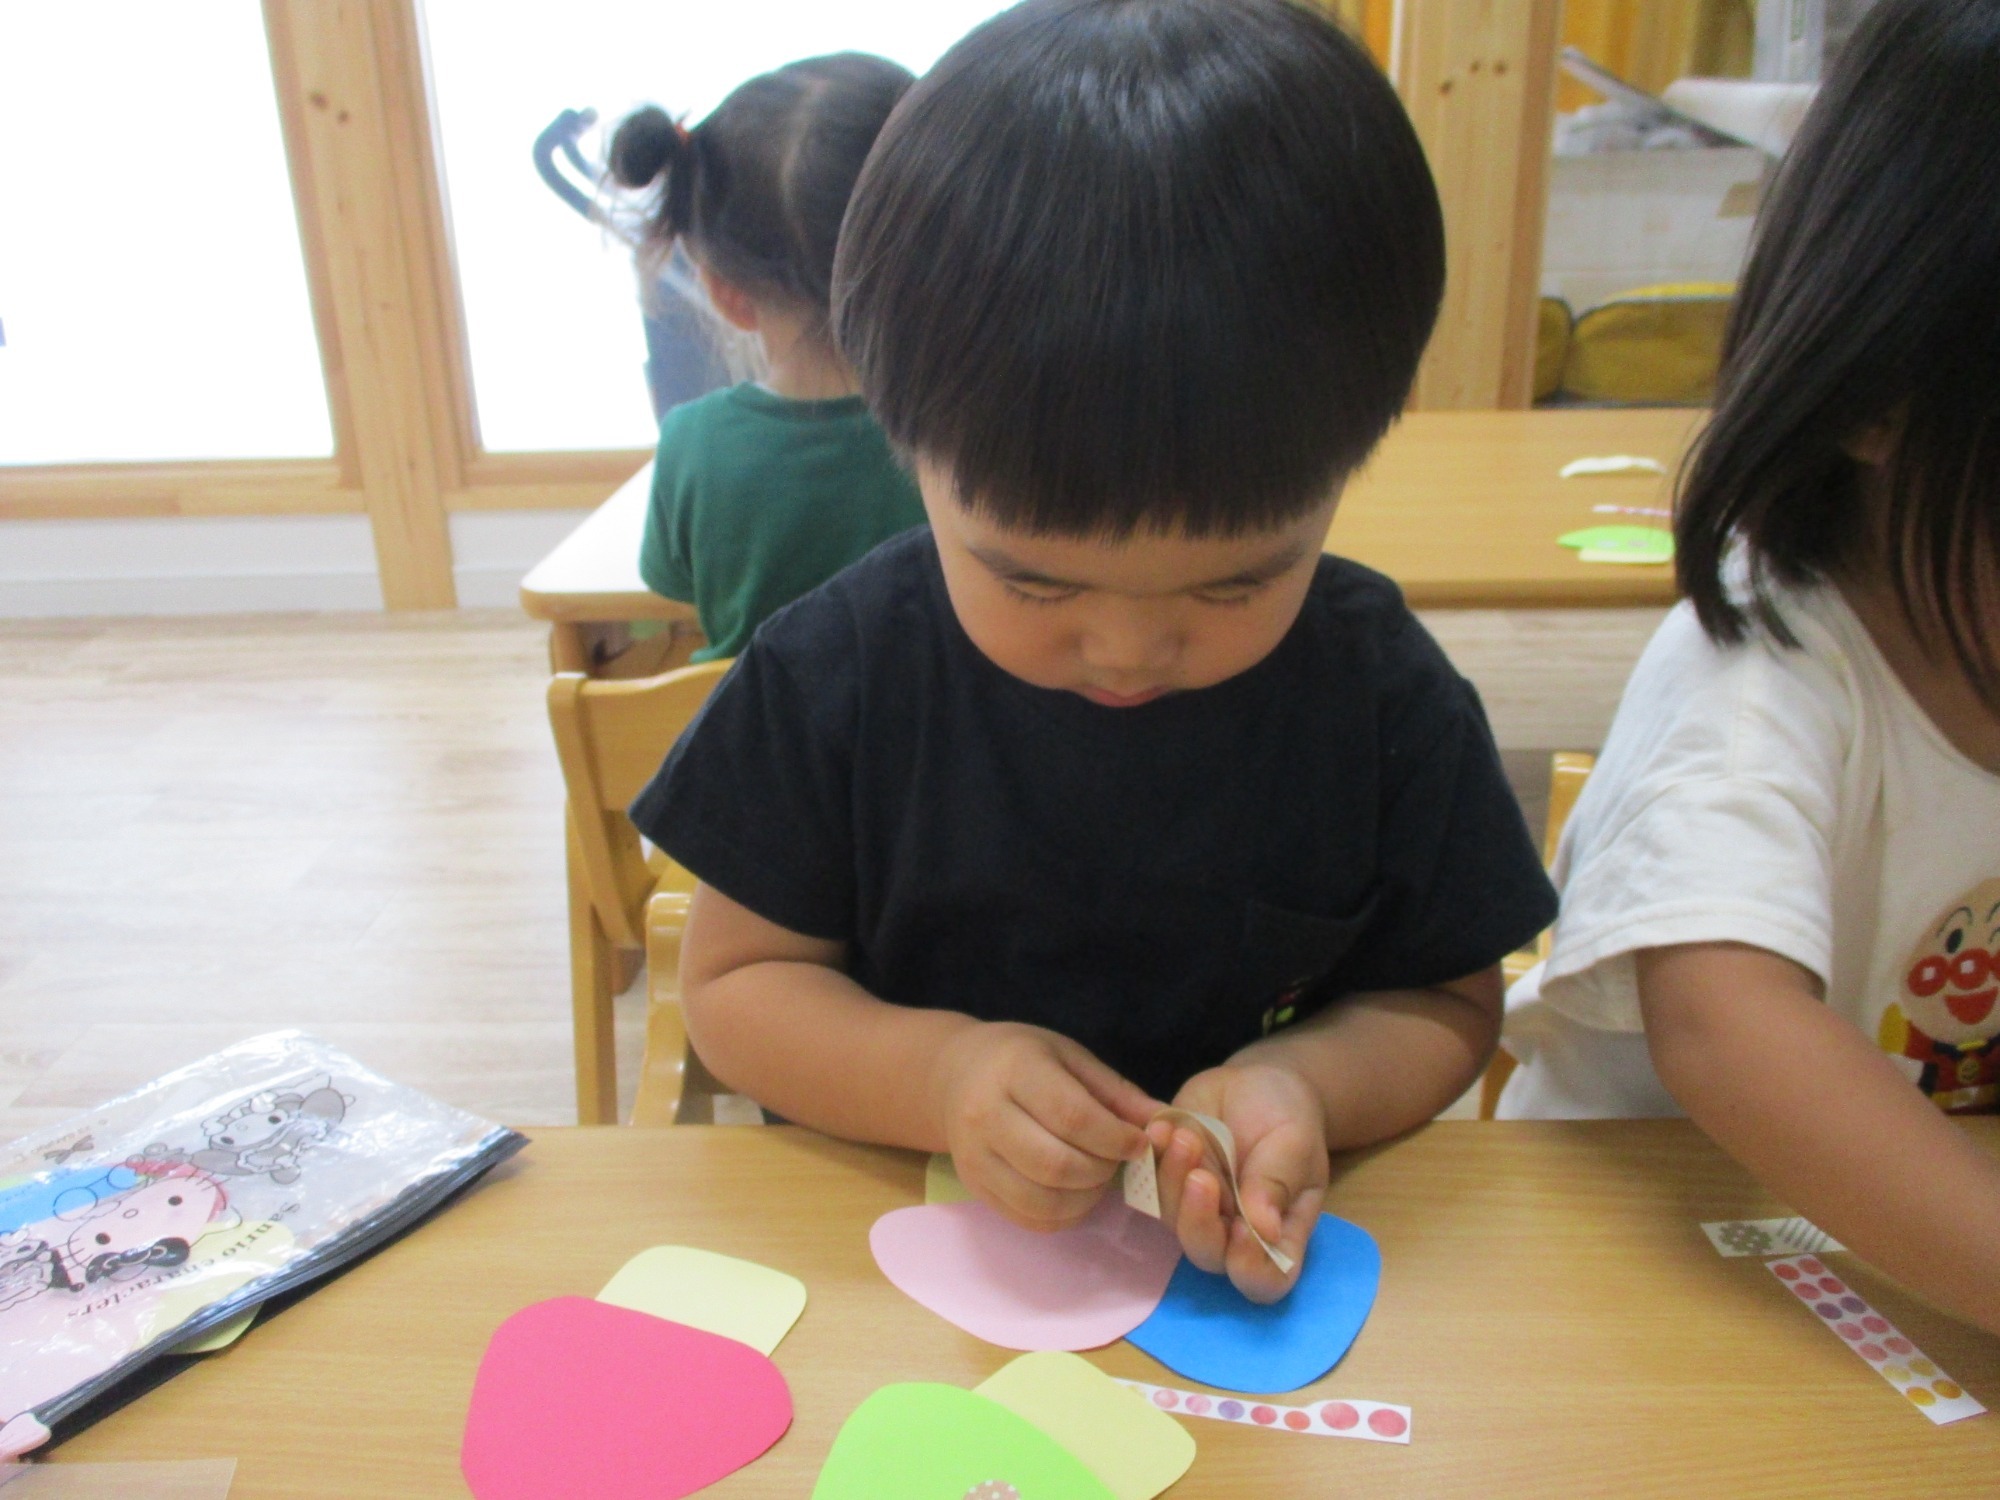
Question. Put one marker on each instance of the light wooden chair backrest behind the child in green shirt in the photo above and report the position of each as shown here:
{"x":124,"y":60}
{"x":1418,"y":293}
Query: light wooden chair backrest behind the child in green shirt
{"x":611,"y":739}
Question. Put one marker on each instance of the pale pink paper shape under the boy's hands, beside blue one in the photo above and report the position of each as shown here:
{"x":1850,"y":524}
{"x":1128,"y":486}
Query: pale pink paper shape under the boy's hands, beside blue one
{"x":1019,"y":1289}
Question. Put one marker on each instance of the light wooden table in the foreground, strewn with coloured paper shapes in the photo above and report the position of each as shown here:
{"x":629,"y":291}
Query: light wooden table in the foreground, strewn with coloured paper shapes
{"x":1549,"y":1311}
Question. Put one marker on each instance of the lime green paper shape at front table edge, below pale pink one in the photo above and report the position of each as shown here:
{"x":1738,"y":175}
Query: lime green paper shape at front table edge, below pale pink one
{"x":939,"y":1443}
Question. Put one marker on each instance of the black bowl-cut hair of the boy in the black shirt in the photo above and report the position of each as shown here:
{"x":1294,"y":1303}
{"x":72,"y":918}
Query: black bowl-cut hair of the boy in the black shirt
{"x":1143,"y":265}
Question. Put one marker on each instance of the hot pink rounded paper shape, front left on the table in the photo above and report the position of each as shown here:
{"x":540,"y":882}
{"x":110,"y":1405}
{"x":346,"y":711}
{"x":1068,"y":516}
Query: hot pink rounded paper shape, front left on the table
{"x":583,"y":1399}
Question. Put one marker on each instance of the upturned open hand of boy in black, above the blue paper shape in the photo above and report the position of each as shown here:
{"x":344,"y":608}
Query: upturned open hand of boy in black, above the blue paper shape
{"x":1281,"y":1161}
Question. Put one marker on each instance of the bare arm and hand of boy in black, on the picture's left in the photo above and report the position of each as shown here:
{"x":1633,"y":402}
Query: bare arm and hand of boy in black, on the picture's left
{"x":1035,"y":1123}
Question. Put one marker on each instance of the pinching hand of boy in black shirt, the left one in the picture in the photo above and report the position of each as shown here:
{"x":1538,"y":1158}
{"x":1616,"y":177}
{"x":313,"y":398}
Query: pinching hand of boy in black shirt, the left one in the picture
{"x":1035,"y":1123}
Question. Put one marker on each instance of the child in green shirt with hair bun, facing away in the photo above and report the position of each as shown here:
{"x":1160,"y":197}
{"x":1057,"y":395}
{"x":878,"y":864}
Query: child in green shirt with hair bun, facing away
{"x":765,"y":491}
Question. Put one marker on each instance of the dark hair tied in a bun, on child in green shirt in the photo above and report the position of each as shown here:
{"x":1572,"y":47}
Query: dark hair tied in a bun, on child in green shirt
{"x":759,"y":187}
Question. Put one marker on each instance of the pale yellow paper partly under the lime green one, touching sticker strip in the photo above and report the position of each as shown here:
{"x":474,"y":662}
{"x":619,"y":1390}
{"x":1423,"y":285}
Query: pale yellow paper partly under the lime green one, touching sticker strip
{"x":1133,"y":1447}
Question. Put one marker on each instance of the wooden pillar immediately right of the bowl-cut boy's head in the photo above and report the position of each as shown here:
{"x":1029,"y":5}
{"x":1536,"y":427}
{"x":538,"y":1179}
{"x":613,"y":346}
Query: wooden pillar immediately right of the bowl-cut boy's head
{"x":1479,"y":79}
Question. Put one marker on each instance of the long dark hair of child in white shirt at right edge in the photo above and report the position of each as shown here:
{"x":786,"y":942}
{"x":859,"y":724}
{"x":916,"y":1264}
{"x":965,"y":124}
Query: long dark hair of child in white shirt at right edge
{"x":1871,"y":303}
